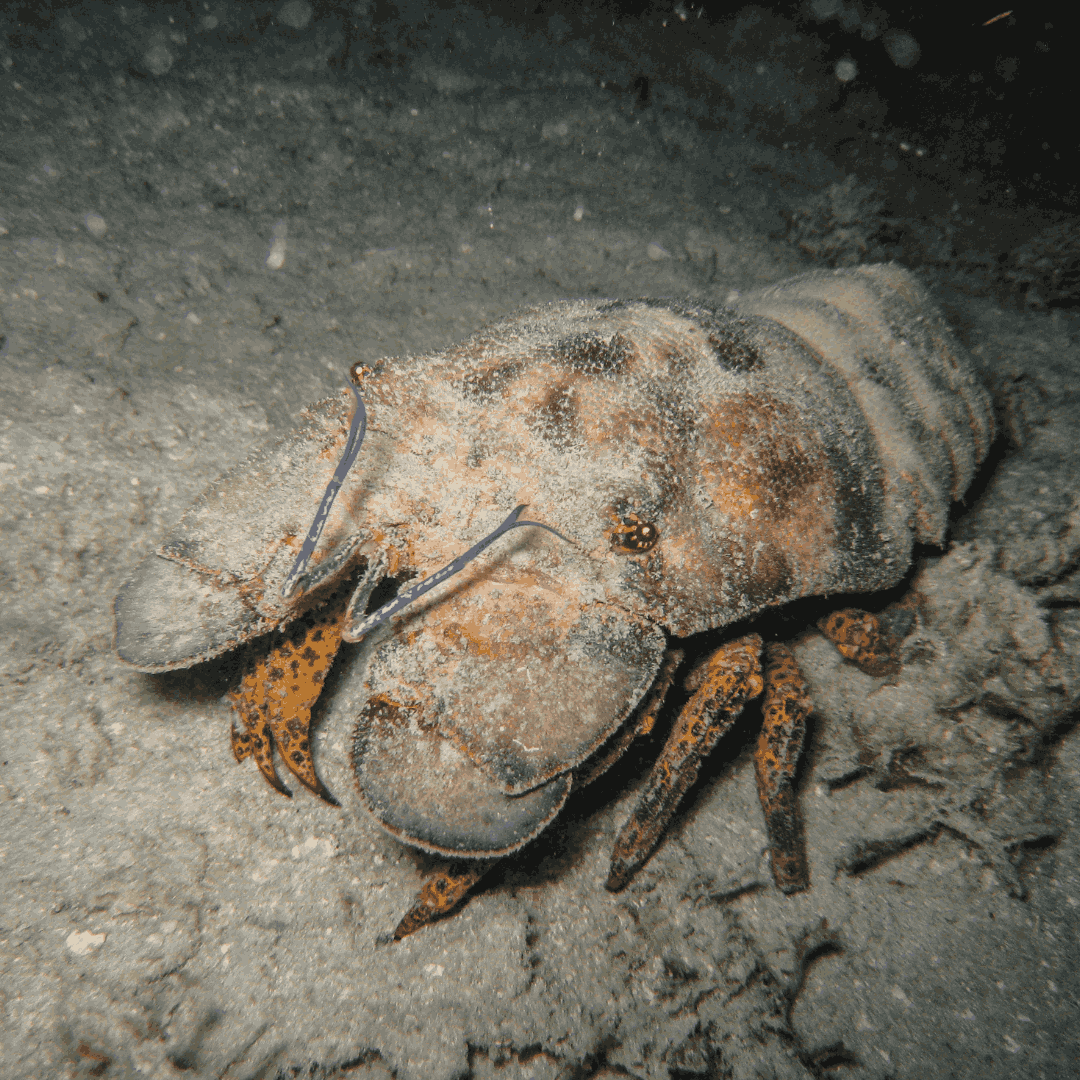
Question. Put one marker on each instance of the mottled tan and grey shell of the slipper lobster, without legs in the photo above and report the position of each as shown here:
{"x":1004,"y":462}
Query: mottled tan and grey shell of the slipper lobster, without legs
{"x":703,"y":463}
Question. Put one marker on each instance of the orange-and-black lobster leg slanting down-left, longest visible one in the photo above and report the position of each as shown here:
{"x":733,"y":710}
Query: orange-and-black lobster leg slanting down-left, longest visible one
{"x":732,"y":677}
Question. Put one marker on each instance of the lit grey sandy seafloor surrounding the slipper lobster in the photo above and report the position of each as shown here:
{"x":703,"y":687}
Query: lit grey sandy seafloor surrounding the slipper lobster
{"x":164,"y":913}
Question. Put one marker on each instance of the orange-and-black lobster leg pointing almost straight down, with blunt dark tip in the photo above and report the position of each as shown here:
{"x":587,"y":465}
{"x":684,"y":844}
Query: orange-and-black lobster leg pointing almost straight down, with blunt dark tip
{"x":785,"y":711}
